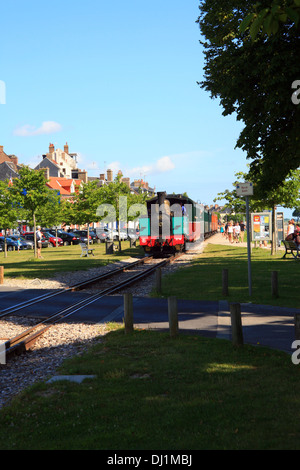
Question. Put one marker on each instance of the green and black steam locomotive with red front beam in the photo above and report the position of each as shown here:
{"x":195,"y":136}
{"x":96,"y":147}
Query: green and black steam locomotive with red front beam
{"x":172,"y":221}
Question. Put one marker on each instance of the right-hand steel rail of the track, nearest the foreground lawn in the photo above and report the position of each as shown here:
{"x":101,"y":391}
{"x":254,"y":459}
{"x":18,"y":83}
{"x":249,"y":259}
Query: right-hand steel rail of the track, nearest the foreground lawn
{"x":25,"y":340}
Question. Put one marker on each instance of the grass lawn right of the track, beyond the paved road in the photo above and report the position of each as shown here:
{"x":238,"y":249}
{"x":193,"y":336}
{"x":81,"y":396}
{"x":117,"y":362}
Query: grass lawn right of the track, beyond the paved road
{"x":203,"y":279}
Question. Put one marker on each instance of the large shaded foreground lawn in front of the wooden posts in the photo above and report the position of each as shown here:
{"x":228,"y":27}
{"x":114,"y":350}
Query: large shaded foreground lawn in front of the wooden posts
{"x":156,"y":393}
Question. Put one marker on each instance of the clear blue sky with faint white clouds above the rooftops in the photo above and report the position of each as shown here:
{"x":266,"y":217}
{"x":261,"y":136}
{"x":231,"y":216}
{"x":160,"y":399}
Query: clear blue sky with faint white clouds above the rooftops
{"x":117,"y":81}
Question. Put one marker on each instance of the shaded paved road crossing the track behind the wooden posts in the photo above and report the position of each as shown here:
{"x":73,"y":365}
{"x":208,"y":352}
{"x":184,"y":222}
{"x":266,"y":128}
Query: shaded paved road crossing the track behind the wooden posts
{"x":262,"y":325}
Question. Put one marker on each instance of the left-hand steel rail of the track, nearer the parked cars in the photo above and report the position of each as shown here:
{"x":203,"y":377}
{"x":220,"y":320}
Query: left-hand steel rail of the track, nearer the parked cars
{"x":78,"y":286}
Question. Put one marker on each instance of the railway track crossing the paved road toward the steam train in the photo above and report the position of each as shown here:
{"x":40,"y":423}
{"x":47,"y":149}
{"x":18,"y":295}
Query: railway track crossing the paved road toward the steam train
{"x":24,"y":341}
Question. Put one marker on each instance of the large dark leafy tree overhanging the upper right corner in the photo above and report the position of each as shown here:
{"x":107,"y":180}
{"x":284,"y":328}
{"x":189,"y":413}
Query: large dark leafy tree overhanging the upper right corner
{"x":253,"y":79}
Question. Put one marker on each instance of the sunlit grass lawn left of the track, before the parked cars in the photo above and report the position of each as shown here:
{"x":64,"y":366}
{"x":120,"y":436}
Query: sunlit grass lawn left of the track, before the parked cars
{"x":60,"y":259}
